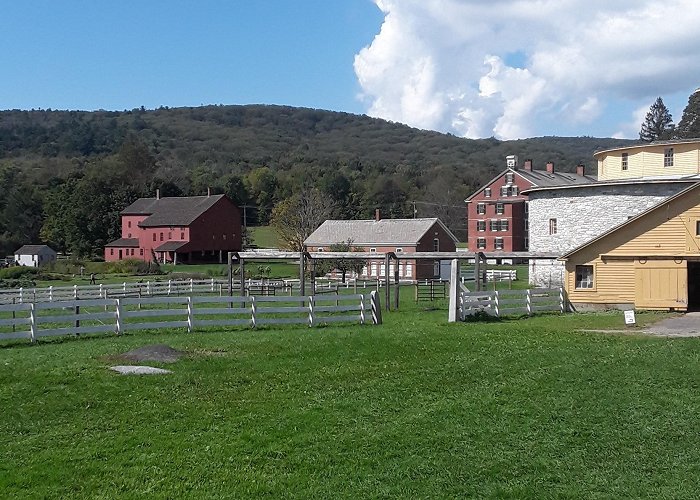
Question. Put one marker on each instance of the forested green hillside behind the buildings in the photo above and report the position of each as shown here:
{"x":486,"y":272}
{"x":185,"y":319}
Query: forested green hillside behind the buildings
{"x":65,"y":175}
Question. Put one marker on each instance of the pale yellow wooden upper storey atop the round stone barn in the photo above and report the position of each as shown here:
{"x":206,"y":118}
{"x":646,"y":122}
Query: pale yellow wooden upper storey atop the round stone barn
{"x":656,"y":159}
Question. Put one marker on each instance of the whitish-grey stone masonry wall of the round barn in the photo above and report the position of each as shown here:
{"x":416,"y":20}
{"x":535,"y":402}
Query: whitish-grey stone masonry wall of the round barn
{"x":583,"y":214}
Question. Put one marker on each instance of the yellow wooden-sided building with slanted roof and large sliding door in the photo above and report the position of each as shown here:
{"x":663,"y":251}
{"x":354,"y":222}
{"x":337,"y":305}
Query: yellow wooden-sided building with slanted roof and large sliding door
{"x":651,"y":261}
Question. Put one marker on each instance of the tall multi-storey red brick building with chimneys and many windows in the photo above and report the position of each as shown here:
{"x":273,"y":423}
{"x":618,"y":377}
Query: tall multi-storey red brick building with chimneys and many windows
{"x":497,"y":215}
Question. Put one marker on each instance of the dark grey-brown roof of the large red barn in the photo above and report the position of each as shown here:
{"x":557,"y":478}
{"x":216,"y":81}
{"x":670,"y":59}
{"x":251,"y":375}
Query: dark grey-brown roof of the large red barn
{"x":180,"y":211}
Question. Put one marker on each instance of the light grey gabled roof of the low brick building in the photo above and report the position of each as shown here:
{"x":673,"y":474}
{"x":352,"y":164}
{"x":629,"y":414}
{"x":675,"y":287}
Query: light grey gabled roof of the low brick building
{"x":373,"y":232}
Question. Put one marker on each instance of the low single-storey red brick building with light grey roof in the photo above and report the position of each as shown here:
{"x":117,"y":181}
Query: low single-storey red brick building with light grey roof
{"x":401,"y":236}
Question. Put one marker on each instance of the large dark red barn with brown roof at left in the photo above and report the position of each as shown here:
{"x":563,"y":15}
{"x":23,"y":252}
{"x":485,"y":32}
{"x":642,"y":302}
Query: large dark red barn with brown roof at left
{"x":178,"y":230}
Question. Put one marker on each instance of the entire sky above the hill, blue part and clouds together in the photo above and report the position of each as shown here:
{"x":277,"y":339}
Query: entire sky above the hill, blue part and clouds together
{"x":468,"y":67}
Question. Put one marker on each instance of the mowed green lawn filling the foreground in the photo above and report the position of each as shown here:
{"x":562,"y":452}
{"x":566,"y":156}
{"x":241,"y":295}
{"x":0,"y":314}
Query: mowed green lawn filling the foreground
{"x":416,"y":407}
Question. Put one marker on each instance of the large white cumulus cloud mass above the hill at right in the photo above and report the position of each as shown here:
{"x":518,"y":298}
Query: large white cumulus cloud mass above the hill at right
{"x":520,"y":68}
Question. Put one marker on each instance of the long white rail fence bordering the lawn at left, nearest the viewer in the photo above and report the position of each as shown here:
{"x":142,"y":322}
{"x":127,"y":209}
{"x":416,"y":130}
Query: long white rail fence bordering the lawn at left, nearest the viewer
{"x":30,"y":320}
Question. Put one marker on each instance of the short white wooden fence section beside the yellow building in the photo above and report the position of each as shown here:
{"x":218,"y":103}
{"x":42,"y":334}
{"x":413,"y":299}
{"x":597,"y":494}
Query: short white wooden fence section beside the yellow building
{"x":503,"y":302}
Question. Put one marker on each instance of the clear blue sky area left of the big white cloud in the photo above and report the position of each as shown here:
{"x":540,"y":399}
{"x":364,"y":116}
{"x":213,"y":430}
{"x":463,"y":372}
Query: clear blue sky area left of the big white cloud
{"x":124,"y":54}
